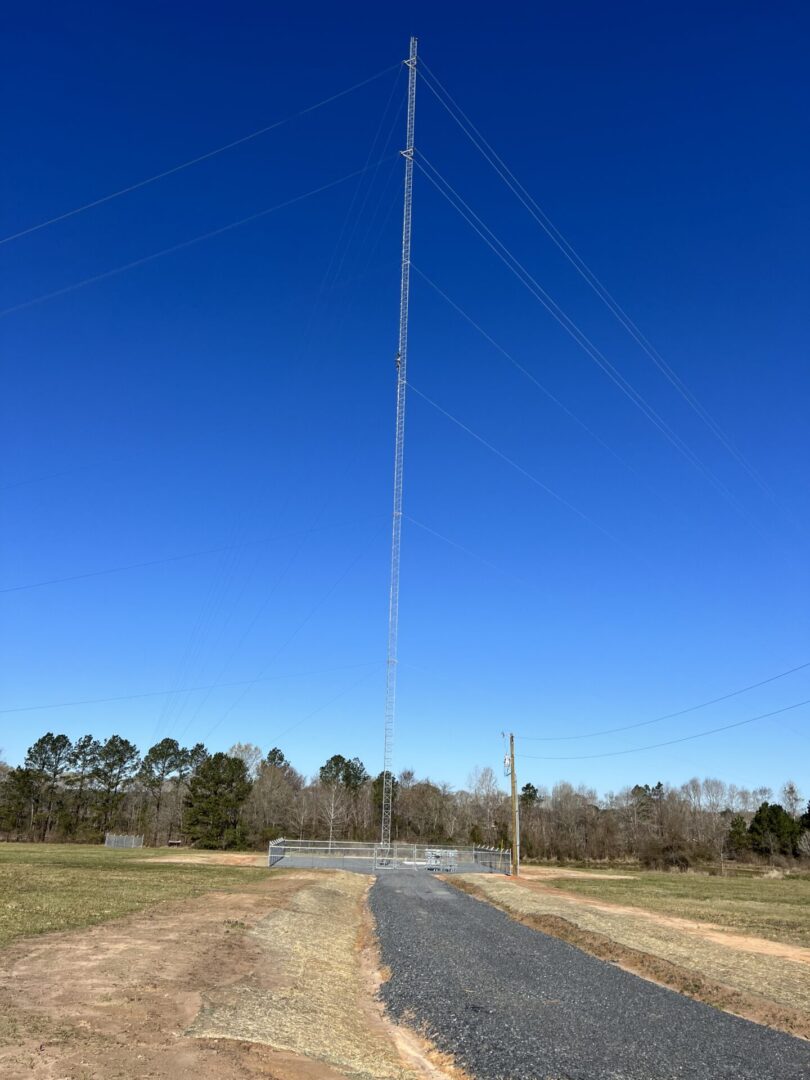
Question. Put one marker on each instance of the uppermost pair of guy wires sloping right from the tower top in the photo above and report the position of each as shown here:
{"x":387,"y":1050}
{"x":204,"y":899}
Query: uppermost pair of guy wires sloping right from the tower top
{"x":579,"y":264}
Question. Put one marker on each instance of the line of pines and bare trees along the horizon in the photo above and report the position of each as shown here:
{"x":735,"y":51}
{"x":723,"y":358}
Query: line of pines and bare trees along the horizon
{"x":69,"y":791}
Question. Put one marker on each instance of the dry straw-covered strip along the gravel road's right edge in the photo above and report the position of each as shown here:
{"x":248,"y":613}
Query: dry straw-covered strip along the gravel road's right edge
{"x":759,"y":985}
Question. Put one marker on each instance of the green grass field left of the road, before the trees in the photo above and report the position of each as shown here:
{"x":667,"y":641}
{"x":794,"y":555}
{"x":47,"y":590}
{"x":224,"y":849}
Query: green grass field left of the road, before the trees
{"x":45,"y":888}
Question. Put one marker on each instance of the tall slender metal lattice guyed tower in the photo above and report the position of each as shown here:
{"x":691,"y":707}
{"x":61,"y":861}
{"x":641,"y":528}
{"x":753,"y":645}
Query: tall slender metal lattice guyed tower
{"x":402,"y":356}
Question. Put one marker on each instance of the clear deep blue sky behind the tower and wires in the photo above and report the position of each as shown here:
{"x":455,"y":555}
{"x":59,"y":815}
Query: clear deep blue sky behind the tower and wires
{"x":235,"y":399}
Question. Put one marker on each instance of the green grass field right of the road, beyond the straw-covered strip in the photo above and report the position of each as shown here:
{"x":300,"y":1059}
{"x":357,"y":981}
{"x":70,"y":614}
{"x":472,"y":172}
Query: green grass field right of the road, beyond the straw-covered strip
{"x":767,"y":908}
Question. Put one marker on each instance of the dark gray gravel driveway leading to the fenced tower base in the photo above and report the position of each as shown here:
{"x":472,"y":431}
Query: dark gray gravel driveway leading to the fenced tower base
{"x":512,"y":1004}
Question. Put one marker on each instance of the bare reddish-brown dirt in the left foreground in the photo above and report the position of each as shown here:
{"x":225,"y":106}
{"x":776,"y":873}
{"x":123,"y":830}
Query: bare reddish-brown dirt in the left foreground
{"x":115,"y":1002}
